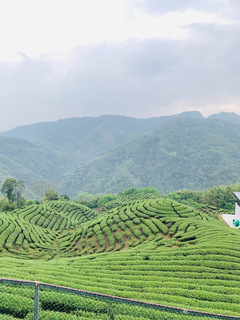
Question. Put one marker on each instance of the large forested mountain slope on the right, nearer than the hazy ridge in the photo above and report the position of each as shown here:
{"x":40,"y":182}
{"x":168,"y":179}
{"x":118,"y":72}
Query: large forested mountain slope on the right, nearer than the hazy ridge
{"x":183,"y":153}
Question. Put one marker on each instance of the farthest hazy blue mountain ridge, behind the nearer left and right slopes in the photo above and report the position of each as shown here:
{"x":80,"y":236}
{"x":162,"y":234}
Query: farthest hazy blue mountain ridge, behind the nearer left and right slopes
{"x":86,"y":138}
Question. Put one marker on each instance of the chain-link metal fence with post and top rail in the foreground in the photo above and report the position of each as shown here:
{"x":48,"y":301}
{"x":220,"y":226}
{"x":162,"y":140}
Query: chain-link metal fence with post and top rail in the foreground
{"x":36,"y":300}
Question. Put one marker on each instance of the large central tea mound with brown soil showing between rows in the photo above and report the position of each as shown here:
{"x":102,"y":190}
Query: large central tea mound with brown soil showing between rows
{"x":164,"y":221}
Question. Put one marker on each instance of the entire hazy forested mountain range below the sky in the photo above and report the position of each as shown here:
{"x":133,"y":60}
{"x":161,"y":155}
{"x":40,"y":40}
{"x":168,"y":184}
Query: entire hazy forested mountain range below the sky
{"x":111,"y":153}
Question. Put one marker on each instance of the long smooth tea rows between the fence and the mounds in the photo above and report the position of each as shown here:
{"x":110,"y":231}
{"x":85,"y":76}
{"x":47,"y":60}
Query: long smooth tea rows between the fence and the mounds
{"x":196,"y":277}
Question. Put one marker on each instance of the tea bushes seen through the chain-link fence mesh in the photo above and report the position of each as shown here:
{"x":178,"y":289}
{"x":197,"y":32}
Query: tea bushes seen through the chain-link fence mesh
{"x":17,"y":302}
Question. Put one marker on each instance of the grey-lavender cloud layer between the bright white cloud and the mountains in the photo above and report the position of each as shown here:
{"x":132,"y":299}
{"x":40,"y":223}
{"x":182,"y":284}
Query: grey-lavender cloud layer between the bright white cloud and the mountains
{"x":140,"y":77}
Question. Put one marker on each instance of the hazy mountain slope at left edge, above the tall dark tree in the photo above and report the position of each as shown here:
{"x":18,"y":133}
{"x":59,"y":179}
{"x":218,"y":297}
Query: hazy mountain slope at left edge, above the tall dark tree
{"x":29,"y":162}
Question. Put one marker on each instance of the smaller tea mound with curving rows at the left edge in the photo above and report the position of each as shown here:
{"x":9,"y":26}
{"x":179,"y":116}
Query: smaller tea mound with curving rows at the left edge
{"x":34,"y":230}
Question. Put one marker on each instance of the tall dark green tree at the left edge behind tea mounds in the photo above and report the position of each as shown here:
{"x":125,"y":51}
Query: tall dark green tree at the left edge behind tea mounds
{"x":13,"y":189}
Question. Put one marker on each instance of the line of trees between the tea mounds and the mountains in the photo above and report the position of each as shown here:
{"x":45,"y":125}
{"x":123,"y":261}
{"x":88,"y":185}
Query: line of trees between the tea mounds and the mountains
{"x":13,"y":195}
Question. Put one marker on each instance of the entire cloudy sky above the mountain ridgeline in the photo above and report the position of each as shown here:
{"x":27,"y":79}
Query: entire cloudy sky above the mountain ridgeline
{"x":138,"y":58}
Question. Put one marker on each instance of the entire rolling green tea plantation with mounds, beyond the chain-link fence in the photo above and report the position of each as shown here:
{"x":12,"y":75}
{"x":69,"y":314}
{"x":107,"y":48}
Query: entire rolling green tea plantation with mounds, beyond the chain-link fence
{"x":154,"y":250}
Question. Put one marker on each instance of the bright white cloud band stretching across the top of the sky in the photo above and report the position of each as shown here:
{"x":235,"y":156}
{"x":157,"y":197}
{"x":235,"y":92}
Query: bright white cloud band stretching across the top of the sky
{"x":36,"y":27}
